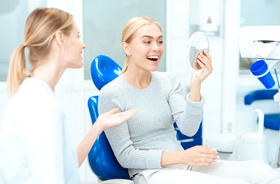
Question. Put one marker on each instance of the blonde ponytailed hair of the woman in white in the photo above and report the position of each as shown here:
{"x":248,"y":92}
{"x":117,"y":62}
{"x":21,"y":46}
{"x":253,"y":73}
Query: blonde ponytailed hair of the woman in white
{"x":40,"y":29}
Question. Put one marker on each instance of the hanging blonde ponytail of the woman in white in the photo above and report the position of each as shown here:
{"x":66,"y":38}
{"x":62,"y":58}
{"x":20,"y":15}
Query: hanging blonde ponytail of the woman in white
{"x":17,"y":69}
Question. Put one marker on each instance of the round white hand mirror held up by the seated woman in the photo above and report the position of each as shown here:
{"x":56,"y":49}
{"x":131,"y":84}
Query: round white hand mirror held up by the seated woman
{"x":197,"y":42}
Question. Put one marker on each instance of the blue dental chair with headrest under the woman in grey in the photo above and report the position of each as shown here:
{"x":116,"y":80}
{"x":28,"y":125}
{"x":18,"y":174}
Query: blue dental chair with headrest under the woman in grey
{"x":101,"y":157}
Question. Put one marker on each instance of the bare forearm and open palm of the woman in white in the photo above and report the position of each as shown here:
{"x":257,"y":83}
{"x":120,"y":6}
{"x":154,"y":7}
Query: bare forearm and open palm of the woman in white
{"x":103,"y":122}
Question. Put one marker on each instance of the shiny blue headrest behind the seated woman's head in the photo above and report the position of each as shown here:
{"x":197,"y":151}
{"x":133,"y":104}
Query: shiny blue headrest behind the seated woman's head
{"x":104,"y":70}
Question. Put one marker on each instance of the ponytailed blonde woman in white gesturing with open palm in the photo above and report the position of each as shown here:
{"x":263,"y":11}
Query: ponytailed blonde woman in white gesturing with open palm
{"x":34,"y":144}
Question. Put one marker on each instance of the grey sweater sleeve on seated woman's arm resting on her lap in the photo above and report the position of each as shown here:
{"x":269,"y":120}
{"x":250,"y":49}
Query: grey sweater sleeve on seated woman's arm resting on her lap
{"x":119,"y":137}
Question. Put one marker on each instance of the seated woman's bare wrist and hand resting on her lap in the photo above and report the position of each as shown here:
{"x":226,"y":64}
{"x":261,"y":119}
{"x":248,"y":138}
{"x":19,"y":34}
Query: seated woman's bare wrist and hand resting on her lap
{"x":194,"y":156}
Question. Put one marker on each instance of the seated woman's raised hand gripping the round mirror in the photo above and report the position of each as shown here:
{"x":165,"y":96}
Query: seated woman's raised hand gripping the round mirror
{"x":203,"y":61}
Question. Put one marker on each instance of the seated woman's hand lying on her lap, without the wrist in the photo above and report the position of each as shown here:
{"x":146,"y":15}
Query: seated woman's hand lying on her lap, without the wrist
{"x":200,"y":156}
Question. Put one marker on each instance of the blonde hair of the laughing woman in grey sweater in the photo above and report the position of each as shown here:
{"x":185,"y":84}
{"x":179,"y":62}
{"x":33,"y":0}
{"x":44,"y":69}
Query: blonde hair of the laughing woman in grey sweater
{"x":131,"y":27}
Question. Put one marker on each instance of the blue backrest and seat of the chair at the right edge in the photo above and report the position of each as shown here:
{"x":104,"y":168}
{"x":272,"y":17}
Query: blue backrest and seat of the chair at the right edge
{"x":271,"y":120}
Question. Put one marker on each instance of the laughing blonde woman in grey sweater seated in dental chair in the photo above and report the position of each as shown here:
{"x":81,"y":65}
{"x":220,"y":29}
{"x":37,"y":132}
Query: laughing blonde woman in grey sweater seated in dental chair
{"x":146,"y":144}
